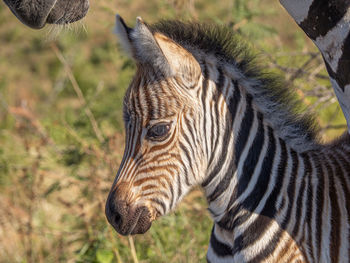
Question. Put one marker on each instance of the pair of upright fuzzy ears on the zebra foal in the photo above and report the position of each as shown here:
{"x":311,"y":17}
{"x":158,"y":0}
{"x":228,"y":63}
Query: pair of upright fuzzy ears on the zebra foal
{"x":157,"y":50}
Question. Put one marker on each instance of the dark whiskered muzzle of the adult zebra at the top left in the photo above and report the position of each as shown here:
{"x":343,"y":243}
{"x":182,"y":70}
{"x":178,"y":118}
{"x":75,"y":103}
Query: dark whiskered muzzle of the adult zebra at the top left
{"x":36,"y":14}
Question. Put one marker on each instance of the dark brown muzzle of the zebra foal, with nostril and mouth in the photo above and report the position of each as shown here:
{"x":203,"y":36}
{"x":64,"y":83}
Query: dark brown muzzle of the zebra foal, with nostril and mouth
{"x":126,"y":219}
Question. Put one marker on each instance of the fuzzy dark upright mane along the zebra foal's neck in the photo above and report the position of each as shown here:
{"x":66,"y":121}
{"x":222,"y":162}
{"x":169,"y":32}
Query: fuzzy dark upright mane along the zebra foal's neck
{"x":275,"y":99}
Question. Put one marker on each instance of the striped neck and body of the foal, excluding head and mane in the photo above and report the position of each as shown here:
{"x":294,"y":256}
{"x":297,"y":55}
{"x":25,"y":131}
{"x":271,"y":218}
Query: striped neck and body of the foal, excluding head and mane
{"x":262,"y":191}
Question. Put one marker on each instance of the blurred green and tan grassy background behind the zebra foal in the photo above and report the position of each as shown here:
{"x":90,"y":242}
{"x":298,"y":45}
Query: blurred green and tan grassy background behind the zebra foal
{"x":62,"y":138}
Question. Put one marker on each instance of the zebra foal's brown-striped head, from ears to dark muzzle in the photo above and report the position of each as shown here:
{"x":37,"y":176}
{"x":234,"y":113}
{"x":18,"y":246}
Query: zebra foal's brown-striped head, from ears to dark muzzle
{"x":160,"y":106}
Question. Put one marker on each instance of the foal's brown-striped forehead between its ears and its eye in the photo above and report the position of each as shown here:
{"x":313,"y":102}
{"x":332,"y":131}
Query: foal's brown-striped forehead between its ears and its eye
{"x":152,"y":97}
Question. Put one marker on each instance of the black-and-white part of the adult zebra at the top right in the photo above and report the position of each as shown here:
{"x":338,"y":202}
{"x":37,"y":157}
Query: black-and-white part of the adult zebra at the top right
{"x":327,"y":24}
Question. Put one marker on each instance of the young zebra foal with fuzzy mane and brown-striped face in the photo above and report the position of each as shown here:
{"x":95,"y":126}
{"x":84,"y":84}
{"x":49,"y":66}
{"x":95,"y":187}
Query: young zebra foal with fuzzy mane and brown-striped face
{"x":199,"y":112}
